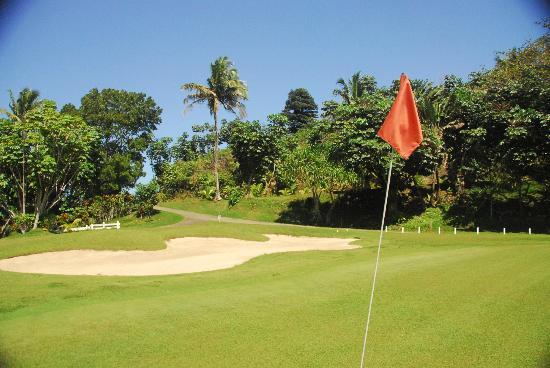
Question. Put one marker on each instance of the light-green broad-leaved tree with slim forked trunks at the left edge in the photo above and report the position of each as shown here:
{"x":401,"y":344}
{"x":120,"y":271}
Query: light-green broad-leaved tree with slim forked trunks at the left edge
{"x":57,"y":147}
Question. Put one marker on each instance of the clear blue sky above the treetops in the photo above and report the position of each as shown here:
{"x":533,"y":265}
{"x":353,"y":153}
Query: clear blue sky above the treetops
{"x":64,"y":48}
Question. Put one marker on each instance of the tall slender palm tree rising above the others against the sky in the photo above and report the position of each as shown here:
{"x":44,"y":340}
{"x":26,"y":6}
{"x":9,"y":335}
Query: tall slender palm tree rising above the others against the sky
{"x":223,"y":88}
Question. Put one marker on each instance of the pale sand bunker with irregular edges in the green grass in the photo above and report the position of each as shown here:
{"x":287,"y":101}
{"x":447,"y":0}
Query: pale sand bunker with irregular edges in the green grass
{"x":182,"y":255}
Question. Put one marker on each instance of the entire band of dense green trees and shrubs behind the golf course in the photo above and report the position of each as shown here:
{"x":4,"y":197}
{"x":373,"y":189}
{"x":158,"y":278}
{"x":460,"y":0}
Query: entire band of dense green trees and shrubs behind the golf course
{"x":484,"y":161}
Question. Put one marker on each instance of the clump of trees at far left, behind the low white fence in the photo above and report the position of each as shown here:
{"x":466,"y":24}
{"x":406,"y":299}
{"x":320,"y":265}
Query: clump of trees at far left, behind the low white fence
{"x":55,"y":166}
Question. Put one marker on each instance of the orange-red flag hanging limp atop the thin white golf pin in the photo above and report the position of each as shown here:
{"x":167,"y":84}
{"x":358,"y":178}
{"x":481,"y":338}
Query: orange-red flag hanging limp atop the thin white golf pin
{"x":401,"y":129}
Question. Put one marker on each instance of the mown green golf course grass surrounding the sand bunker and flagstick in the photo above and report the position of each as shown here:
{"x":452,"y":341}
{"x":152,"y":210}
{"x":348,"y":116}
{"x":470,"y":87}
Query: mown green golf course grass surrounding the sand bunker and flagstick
{"x":441,"y":301}
